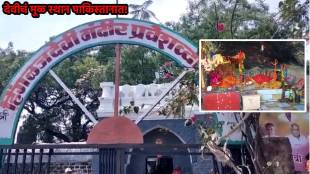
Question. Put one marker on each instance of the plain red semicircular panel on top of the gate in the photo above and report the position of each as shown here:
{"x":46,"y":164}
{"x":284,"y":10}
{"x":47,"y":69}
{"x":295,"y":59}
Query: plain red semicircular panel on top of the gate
{"x":115,"y":130}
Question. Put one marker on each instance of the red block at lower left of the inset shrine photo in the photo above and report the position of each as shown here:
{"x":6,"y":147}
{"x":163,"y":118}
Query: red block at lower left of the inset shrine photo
{"x":221,"y":101}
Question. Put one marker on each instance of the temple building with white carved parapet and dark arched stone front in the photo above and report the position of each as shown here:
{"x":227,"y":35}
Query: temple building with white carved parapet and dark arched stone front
{"x":156,"y":129}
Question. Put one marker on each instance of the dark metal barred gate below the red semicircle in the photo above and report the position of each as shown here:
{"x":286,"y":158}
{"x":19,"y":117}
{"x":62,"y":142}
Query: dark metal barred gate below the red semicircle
{"x":112,"y":159}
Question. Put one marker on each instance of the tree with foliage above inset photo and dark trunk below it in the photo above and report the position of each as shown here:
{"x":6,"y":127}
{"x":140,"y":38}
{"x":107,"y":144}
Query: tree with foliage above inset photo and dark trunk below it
{"x":244,"y":20}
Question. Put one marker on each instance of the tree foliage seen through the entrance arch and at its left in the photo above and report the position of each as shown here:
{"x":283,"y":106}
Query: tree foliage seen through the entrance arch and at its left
{"x":50,"y":114}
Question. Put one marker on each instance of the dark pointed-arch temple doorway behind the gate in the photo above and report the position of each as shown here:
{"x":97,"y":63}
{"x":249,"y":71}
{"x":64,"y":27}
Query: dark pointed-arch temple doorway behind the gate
{"x":148,"y":161}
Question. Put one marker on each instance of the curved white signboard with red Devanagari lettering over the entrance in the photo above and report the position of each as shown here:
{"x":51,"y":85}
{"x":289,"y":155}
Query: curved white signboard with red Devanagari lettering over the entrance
{"x":107,"y":31}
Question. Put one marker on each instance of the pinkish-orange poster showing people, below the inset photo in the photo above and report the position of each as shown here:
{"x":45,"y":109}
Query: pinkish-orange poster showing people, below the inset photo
{"x":295,"y":126}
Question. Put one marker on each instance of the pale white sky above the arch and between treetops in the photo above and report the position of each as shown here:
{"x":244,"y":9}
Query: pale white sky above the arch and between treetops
{"x":30,"y":34}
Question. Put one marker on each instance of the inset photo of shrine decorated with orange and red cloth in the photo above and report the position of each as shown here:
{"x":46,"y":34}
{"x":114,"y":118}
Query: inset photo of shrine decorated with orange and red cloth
{"x":234,"y":80}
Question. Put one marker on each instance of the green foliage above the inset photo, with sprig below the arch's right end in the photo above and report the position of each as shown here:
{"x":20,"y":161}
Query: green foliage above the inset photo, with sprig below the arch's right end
{"x":242,"y":20}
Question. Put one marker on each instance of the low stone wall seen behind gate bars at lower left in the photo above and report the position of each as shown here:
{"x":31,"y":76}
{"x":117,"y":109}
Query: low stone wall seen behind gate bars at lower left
{"x":79,"y":164}
